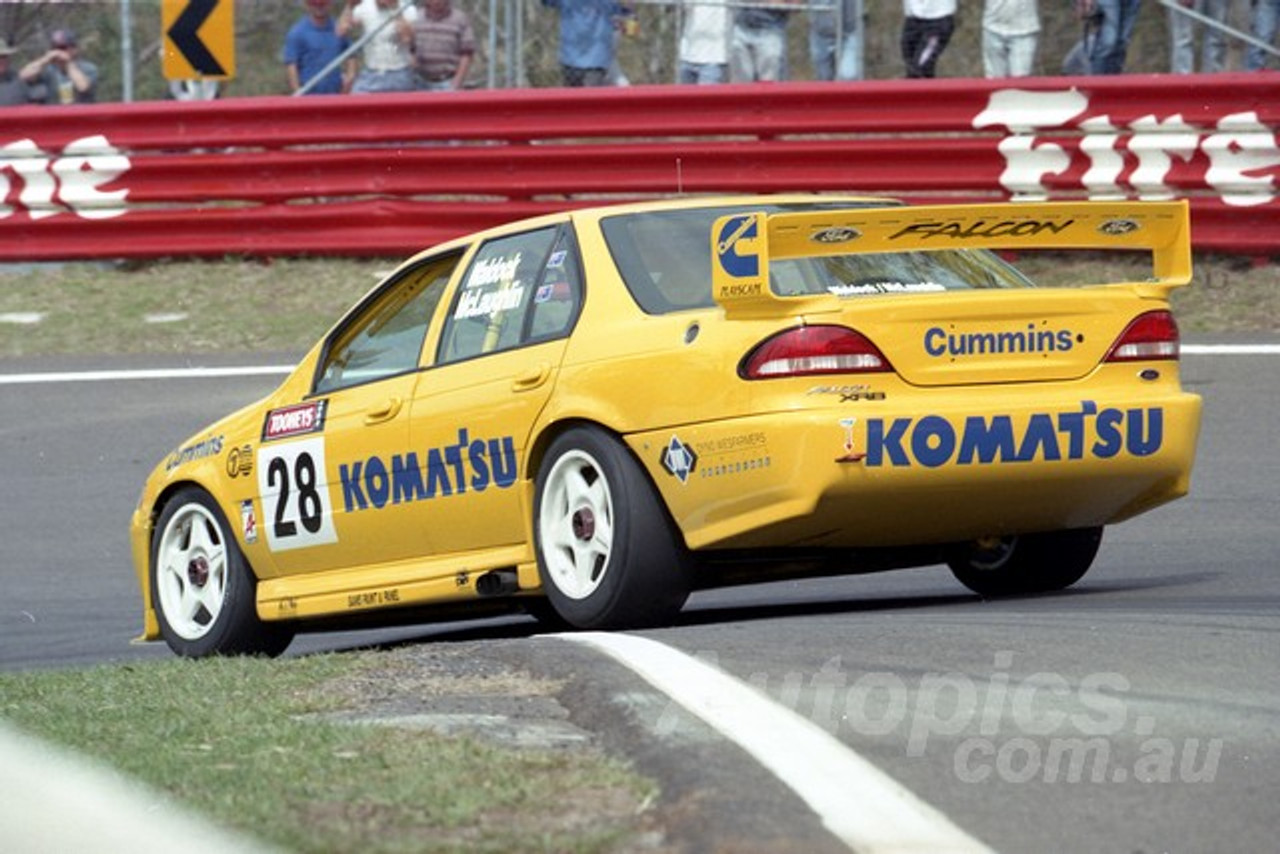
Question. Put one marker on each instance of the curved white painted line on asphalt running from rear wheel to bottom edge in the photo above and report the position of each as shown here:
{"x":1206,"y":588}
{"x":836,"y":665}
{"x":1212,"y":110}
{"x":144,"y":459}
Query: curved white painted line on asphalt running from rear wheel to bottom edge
{"x":857,"y":802}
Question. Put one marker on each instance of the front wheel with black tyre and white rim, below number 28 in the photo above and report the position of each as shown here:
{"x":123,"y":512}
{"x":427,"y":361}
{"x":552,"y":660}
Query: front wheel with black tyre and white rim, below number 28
{"x":203,"y":587}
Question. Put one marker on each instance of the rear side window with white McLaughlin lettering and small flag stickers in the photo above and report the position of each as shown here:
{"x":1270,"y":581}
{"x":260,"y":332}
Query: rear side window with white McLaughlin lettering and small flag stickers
{"x":518,"y":290}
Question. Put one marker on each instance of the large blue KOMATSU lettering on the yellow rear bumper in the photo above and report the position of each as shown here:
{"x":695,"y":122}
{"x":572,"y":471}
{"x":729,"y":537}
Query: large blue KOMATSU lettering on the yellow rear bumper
{"x":934,"y":441}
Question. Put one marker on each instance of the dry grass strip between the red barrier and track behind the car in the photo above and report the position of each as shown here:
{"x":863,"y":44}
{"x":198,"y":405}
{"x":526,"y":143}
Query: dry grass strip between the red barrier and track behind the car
{"x":191,"y":308}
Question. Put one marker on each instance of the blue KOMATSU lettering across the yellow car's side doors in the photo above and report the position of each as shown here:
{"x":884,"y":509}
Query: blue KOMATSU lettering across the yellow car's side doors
{"x":450,"y":471}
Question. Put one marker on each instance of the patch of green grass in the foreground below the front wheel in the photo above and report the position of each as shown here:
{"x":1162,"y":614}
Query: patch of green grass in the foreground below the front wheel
{"x":246,"y":743}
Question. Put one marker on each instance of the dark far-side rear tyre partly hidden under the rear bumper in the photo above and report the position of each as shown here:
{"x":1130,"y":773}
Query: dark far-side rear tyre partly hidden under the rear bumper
{"x":1027,"y":564}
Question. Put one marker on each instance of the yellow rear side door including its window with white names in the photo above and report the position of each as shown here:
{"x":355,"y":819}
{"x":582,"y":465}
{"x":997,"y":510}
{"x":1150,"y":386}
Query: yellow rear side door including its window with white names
{"x":496,"y":366}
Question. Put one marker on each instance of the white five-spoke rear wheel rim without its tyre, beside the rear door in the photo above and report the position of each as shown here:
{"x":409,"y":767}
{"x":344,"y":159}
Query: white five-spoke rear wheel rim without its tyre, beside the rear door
{"x":575,"y":524}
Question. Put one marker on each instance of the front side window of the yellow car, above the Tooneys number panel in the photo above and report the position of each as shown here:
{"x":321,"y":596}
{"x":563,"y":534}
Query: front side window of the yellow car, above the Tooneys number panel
{"x":386,"y":337}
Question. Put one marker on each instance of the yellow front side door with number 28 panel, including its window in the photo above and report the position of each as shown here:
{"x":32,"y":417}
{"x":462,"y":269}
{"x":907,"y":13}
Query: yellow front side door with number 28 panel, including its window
{"x":327,"y":464}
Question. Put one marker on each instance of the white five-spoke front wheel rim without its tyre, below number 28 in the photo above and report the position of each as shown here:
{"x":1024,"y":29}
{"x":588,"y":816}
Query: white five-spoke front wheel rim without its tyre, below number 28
{"x":191,"y":572}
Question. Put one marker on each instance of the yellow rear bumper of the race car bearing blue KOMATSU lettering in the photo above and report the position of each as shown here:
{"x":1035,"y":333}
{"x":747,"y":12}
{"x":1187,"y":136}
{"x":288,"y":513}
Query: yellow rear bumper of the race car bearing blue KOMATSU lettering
{"x":863,"y":476}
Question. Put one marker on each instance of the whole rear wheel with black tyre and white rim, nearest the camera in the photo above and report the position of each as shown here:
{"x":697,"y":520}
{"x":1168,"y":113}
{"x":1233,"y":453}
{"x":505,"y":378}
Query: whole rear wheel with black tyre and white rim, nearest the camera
{"x":609,"y":555}
